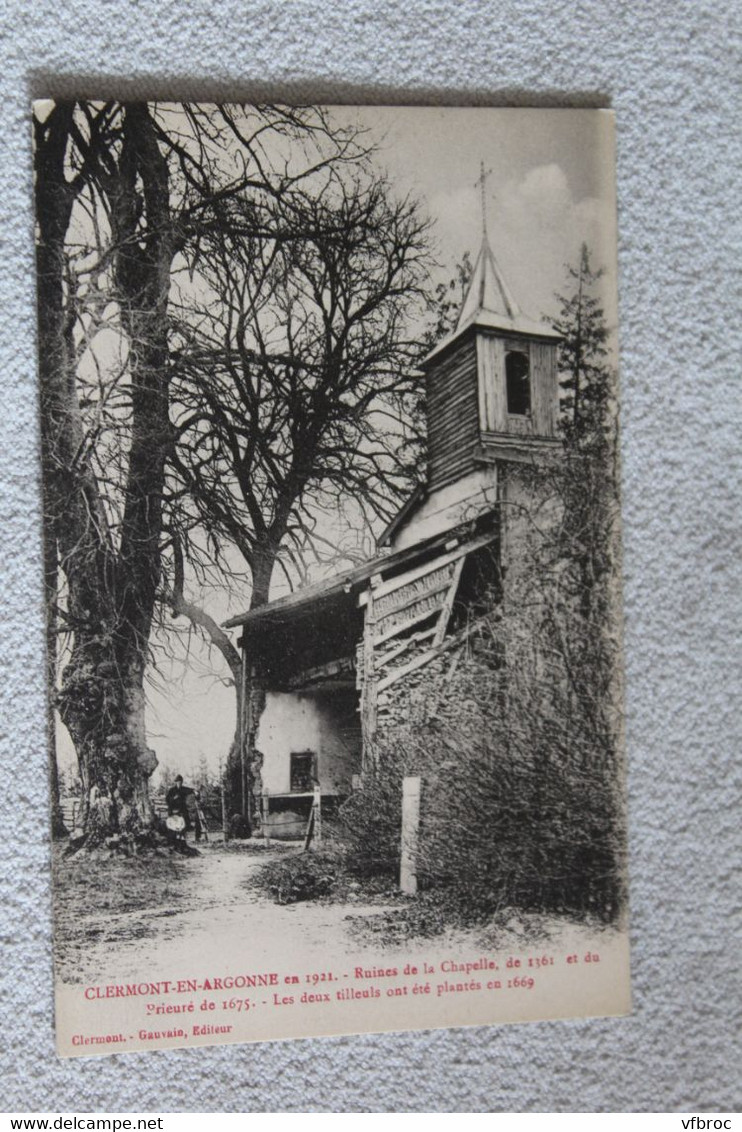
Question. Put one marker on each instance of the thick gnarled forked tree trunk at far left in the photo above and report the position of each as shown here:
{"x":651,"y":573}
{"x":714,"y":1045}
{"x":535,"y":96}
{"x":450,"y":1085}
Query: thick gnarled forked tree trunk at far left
{"x":112,"y":594}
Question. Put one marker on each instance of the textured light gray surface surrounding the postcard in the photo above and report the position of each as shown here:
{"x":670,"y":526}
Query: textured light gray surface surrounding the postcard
{"x":669,"y":70}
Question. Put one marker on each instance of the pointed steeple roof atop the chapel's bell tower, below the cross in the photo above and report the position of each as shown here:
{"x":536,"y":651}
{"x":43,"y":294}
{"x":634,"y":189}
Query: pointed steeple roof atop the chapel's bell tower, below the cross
{"x":490,"y":304}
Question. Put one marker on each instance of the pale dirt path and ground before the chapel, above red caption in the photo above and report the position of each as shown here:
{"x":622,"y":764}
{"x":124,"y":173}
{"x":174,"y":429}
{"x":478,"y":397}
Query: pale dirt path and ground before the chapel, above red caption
{"x":170,"y":917}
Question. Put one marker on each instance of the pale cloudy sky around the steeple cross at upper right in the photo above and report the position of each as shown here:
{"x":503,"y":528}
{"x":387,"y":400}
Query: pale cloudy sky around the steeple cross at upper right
{"x":551,"y":186}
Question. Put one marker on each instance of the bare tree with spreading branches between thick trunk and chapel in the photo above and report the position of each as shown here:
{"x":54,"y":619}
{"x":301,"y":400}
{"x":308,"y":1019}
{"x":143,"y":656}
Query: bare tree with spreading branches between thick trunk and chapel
{"x":295,"y":388}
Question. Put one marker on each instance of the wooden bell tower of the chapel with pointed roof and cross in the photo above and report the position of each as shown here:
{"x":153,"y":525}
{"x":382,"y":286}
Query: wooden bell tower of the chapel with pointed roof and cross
{"x":492,"y":402}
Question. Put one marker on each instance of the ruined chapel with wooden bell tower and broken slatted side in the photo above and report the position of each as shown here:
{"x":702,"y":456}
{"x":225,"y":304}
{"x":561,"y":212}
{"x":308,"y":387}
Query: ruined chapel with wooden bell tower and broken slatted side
{"x":332,"y":663}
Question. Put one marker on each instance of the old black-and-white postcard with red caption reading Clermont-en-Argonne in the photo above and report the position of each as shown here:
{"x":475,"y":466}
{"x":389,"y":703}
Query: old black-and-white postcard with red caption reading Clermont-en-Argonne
{"x":332,"y":570}
